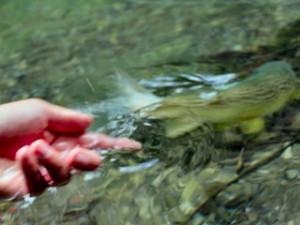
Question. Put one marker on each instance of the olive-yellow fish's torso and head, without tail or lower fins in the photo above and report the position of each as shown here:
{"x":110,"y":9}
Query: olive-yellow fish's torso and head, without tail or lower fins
{"x":262,"y":93}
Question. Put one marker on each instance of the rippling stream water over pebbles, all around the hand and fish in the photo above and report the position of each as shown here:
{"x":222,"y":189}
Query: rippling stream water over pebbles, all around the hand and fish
{"x":51,"y":49}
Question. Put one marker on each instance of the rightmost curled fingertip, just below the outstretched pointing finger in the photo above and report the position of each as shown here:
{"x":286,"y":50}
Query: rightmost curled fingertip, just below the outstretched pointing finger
{"x":83,"y":159}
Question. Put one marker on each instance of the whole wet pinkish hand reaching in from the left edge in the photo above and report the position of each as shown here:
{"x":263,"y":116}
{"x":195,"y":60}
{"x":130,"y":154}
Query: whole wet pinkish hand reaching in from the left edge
{"x":41,"y":145}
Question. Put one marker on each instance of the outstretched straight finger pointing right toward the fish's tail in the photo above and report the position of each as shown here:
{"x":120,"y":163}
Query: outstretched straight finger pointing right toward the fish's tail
{"x":96,"y":140}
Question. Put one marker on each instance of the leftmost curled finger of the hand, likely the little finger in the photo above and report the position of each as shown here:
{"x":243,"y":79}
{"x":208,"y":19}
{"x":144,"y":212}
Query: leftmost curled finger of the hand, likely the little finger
{"x":34,"y":180}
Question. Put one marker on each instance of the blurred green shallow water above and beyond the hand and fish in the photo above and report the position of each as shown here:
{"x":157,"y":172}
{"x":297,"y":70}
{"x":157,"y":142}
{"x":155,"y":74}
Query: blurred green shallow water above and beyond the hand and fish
{"x":52,"y":49}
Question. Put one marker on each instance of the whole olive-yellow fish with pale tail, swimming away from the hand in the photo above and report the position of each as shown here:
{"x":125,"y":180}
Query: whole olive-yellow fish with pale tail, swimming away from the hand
{"x":266,"y":90}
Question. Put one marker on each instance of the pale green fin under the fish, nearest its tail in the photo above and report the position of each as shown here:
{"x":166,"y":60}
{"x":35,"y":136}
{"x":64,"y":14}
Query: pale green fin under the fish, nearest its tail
{"x":177,"y":127}
